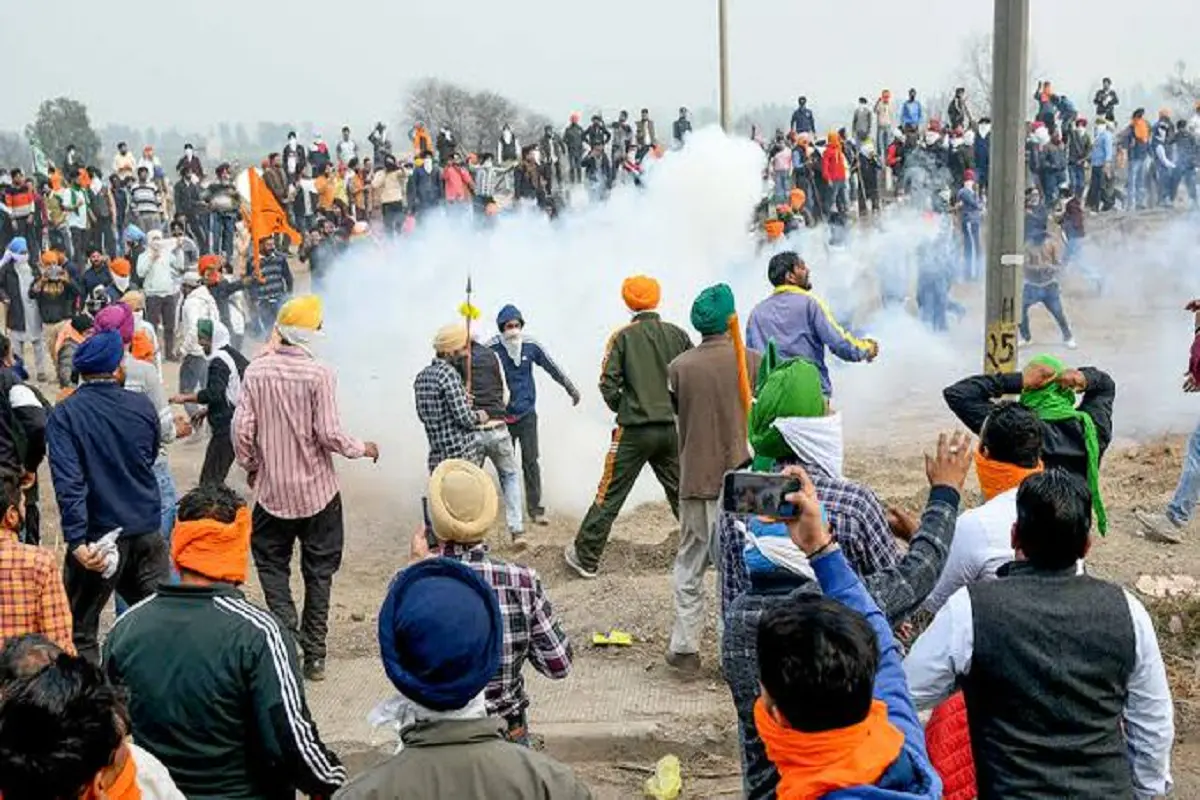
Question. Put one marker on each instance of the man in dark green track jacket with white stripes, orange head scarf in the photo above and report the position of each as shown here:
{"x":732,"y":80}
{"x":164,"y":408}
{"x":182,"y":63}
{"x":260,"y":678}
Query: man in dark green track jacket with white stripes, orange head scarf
{"x":223,"y":707}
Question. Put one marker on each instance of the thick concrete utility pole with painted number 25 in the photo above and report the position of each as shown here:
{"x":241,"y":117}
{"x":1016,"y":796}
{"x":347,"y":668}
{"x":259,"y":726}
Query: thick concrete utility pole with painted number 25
{"x":1006,"y":184}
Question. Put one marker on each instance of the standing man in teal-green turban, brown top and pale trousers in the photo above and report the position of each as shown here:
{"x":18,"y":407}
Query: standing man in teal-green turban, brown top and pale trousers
{"x":712,"y":424}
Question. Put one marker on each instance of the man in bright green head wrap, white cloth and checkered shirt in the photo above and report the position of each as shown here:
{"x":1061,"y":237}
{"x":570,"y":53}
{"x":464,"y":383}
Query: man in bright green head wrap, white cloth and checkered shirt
{"x":793,"y":423}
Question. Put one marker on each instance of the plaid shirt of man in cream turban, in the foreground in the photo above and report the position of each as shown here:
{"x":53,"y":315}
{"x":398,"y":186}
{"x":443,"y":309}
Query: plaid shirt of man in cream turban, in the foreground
{"x":531,"y":630}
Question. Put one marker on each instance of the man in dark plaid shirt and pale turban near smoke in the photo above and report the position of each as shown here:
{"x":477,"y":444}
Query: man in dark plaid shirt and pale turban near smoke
{"x":442,"y":402}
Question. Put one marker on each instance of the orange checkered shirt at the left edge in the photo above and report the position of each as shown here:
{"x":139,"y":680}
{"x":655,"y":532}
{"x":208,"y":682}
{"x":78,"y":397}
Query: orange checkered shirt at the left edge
{"x":33,"y":599}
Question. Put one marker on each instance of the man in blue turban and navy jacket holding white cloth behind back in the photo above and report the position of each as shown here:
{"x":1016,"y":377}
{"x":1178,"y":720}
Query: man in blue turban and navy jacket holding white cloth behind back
{"x":104,"y":442}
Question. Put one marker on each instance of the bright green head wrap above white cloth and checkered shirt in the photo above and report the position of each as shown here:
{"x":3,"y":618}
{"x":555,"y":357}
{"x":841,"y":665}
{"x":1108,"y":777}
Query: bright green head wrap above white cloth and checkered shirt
{"x":784,"y":389}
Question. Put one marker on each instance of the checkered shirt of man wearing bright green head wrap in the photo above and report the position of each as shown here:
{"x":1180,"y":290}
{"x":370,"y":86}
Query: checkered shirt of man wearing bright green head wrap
{"x":856,"y":518}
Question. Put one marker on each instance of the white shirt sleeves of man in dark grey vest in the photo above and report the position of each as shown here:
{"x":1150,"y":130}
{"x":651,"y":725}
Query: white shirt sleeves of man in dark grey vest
{"x":944,"y":653}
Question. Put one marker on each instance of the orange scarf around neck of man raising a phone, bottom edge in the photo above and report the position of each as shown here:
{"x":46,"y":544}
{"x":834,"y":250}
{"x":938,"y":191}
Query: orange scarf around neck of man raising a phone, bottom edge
{"x":814,"y":765}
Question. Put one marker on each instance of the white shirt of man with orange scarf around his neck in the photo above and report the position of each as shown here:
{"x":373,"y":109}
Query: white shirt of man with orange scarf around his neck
{"x":983,"y":543}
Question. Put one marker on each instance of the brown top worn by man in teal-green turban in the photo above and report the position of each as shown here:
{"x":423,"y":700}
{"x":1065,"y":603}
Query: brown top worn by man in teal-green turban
{"x":704,"y":384}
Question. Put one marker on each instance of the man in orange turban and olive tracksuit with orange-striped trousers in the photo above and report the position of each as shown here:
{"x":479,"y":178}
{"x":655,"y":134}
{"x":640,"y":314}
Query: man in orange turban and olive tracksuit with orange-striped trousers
{"x":634,"y":386}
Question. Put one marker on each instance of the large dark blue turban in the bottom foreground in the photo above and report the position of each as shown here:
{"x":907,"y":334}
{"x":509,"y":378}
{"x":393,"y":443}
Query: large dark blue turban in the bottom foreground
{"x":441,"y":634}
